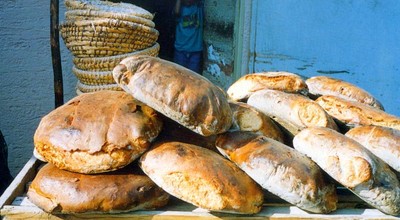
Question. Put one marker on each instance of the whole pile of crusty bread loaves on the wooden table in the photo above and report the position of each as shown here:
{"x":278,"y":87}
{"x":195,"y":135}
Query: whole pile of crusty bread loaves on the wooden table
{"x":214,"y":149}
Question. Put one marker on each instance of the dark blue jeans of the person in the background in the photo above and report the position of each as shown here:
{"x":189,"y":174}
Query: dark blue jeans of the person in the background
{"x":190,"y":60}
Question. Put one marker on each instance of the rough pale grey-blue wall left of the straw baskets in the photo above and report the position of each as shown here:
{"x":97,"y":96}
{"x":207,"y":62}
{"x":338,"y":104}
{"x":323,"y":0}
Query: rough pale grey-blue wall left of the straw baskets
{"x":26,"y":75}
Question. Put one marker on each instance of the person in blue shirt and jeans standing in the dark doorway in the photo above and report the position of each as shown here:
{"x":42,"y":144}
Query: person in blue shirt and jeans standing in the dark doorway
{"x":189,"y":34}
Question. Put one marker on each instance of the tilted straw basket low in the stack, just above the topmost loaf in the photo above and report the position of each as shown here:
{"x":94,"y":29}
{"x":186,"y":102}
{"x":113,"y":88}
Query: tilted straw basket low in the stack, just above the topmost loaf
{"x":108,"y":63}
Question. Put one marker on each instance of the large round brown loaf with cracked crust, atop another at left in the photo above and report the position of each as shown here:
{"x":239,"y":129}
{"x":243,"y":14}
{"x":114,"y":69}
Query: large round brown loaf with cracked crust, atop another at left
{"x":96,"y":132}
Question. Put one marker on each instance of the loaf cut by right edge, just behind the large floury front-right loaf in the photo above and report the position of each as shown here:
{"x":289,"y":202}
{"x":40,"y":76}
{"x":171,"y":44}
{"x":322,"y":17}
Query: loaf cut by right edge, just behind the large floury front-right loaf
{"x":382,"y":141}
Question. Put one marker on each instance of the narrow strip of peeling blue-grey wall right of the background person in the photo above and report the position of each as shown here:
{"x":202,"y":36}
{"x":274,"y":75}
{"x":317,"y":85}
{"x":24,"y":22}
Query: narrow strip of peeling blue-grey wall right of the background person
{"x":219,"y":41}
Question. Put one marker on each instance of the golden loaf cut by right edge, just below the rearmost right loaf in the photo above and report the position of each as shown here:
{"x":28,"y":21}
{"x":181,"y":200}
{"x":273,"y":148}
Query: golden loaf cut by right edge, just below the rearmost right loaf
{"x":355,"y":114}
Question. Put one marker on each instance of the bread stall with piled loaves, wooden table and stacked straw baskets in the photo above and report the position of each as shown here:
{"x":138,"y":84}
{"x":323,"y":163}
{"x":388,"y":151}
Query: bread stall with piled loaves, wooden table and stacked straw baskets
{"x":147,"y":138}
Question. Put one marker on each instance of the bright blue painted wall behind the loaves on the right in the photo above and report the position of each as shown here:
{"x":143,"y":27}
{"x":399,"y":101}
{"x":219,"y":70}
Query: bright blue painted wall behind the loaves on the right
{"x":354,"y":40}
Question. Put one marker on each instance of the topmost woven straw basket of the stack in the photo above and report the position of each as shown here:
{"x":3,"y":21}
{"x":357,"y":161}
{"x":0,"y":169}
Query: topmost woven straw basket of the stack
{"x":123,"y":8}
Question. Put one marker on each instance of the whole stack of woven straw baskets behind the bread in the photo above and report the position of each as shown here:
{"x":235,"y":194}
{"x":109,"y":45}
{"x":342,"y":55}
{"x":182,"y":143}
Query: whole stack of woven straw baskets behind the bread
{"x":100,"y":34}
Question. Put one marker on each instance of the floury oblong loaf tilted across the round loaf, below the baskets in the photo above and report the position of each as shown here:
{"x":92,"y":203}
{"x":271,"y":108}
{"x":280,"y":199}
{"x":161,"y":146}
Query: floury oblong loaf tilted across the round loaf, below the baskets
{"x":178,"y":93}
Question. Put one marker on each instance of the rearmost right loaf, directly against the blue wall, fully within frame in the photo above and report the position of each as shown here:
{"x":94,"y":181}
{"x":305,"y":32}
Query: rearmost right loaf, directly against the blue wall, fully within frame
{"x":323,"y":85}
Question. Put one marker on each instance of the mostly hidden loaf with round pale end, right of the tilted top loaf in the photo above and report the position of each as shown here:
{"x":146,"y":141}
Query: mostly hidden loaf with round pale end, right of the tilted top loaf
{"x":247,"y":118}
